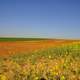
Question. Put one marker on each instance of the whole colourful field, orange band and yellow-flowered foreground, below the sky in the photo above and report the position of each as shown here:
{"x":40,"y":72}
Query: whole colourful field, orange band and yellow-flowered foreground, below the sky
{"x":44,"y":59}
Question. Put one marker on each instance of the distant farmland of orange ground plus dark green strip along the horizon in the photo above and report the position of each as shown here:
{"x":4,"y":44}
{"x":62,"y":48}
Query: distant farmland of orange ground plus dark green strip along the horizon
{"x":9,"y":46}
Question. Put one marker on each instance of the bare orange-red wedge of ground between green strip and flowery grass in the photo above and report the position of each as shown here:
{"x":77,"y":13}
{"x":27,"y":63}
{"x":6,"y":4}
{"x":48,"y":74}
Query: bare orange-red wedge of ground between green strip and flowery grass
{"x":9,"y":48}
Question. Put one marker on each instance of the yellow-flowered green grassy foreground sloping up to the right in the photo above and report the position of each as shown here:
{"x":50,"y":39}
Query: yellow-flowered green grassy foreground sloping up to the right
{"x":59,"y":63}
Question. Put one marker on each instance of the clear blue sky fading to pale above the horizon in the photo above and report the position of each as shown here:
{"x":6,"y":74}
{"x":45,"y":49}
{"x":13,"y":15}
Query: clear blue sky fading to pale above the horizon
{"x":40,"y":18}
